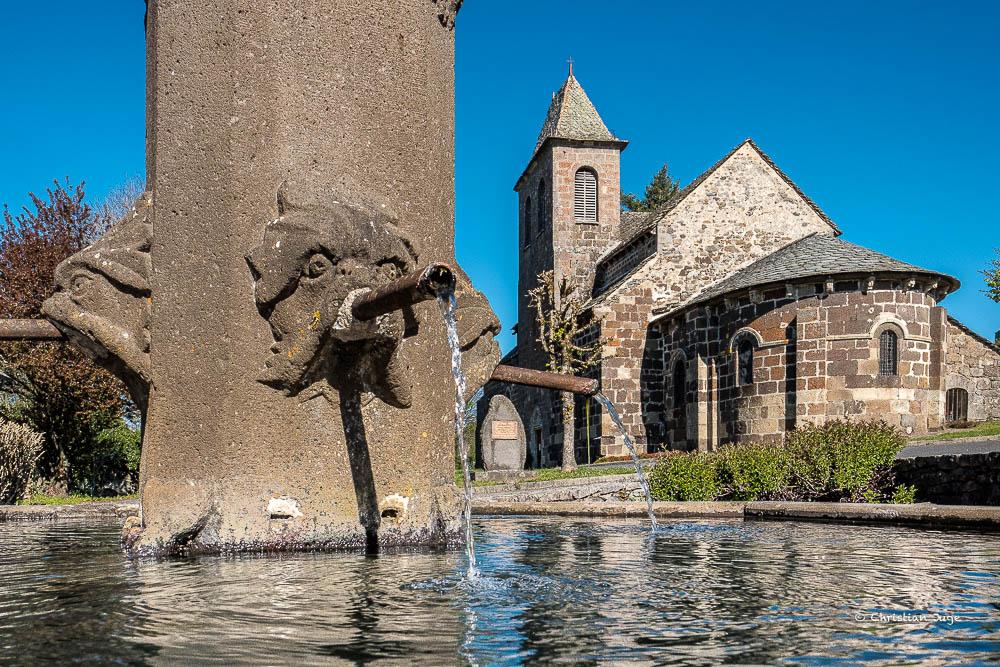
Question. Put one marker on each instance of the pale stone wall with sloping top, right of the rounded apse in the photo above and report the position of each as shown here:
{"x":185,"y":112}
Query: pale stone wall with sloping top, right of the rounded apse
{"x":972,"y":364}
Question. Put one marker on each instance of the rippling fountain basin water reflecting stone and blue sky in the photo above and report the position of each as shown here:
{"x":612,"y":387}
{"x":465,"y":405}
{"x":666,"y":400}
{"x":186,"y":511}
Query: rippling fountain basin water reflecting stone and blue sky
{"x":571,"y":590}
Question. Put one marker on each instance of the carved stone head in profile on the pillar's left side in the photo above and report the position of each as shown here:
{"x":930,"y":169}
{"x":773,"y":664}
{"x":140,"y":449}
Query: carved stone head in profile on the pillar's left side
{"x":102,"y":300}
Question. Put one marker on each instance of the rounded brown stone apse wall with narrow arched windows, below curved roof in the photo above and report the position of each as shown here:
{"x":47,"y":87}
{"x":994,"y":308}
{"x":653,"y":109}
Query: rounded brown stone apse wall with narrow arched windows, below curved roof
{"x":815,"y":358}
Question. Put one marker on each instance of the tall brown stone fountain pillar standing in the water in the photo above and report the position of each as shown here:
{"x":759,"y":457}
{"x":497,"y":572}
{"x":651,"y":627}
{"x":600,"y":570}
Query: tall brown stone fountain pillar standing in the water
{"x":299,"y":151}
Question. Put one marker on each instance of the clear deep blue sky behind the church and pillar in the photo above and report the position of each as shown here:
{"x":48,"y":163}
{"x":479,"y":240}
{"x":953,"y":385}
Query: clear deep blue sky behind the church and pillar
{"x":884,"y":113}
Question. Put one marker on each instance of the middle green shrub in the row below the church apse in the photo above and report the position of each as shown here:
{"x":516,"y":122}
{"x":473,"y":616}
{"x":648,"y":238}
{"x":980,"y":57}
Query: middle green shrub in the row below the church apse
{"x":755,"y":471}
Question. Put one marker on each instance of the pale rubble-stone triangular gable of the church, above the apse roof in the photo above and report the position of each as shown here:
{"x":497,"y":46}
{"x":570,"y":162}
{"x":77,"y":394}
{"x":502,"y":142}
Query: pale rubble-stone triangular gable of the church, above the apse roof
{"x":740,"y":210}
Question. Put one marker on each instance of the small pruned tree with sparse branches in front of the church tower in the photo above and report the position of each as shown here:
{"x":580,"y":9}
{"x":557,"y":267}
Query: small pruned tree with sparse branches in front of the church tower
{"x":559,"y":314}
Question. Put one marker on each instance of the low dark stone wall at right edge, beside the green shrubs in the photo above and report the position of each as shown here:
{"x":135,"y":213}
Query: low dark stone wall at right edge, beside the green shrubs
{"x":966,"y":479}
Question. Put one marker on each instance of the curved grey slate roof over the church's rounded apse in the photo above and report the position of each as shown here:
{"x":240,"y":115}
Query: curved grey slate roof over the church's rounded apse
{"x":814,"y":255}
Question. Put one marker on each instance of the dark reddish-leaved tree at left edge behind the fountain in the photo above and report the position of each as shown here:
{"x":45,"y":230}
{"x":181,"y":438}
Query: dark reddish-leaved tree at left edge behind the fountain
{"x":52,"y":387}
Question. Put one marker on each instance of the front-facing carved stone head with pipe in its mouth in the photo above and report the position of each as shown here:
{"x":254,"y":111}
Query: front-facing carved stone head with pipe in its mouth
{"x":315,"y":258}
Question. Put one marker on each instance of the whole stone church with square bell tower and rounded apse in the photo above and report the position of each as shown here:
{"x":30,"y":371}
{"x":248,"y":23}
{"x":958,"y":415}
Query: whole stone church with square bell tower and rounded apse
{"x":732,"y":313}
